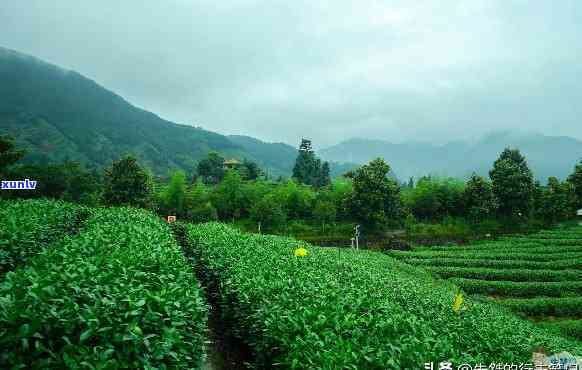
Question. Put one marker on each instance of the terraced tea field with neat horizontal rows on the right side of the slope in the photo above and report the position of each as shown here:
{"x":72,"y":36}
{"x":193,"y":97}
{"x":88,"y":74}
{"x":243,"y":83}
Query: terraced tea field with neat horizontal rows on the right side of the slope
{"x":538,"y":276}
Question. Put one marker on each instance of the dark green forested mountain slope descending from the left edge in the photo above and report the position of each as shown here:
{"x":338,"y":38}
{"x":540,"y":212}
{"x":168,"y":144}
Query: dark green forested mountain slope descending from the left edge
{"x":59,"y":115}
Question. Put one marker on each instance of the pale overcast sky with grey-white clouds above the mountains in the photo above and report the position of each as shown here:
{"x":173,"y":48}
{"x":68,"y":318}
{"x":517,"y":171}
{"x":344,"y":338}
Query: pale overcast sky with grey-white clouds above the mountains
{"x":330,"y":70}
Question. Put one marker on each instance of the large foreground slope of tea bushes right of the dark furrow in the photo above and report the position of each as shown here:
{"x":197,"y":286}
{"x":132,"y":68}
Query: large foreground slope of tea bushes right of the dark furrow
{"x":350,"y":309}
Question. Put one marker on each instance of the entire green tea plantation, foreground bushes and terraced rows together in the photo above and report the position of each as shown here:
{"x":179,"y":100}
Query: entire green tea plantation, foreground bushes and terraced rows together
{"x":113,"y":288}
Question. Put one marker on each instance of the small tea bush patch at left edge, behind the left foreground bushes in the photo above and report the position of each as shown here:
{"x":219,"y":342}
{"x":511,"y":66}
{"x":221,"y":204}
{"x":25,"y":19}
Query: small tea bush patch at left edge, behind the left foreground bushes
{"x":29,"y":226}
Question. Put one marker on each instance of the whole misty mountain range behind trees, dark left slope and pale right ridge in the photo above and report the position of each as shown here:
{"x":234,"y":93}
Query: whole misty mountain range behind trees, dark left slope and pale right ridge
{"x":57,"y":114}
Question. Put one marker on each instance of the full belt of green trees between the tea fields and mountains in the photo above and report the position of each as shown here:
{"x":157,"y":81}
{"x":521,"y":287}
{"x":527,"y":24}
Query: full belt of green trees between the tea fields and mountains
{"x":310,"y":199}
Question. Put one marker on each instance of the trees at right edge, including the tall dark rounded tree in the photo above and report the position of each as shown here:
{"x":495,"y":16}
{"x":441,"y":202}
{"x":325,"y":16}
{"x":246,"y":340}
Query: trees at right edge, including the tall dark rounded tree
{"x":510,"y":195}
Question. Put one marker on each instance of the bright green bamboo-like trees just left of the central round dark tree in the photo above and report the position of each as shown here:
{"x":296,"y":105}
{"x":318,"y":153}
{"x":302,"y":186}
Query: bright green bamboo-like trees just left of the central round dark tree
{"x":266,"y":202}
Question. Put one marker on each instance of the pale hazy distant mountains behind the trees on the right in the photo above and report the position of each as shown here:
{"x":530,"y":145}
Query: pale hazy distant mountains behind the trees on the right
{"x":547,"y":155}
